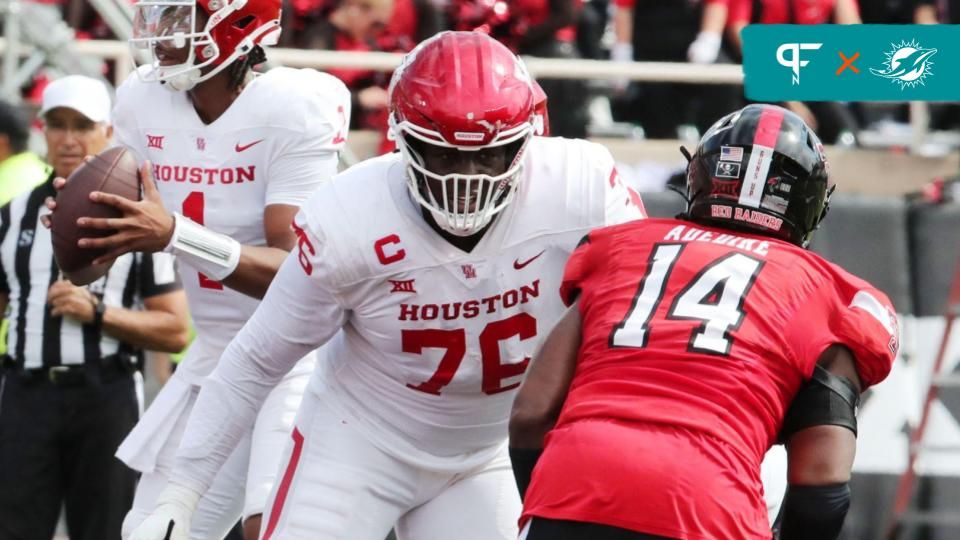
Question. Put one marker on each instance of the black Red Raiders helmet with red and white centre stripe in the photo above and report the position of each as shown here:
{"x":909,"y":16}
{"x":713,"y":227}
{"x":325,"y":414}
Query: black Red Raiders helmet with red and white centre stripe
{"x":762,"y":170}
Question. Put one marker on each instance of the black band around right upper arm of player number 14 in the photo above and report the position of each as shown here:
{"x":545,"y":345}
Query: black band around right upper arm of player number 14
{"x":825,"y":400}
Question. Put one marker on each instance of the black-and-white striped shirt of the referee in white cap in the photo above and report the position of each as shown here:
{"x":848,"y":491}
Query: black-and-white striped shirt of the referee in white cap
{"x":27,"y":269}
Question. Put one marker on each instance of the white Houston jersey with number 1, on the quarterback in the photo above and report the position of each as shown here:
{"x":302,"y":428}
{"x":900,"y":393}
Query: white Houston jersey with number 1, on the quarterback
{"x":274,"y":145}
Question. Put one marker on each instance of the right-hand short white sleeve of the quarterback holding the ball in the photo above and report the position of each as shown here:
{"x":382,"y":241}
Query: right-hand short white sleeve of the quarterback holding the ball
{"x":309,"y":157}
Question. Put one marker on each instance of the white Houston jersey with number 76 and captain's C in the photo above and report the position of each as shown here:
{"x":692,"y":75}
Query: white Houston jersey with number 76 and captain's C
{"x":429,"y":343}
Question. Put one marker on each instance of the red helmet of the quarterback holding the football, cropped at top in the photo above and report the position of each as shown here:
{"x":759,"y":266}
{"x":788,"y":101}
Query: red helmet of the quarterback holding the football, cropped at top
{"x":180,"y":46}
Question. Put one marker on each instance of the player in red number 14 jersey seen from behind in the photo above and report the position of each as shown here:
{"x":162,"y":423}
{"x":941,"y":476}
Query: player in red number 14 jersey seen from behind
{"x":692,"y":346}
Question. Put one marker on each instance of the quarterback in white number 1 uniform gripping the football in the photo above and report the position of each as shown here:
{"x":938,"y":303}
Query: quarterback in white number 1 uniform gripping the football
{"x":232,"y":156}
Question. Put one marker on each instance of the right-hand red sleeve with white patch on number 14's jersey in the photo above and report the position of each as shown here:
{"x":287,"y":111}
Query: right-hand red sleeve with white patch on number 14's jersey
{"x":857,"y":316}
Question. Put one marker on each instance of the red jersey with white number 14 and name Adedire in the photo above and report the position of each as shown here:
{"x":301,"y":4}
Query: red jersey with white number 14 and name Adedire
{"x":695,"y":341}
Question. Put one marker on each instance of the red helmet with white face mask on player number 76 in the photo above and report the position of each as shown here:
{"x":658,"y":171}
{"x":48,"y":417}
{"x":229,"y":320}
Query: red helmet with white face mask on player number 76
{"x":463,"y":90}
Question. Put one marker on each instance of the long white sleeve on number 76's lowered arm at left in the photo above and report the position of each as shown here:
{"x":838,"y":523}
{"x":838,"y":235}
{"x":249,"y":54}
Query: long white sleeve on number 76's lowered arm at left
{"x":296,"y":316}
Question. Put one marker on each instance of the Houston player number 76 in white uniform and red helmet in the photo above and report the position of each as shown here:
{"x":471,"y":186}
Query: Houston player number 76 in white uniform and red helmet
{"x":434,"y":270}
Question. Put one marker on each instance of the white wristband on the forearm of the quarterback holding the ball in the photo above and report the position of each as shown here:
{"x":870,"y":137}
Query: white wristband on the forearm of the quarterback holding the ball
{"x":212,"y":253}
